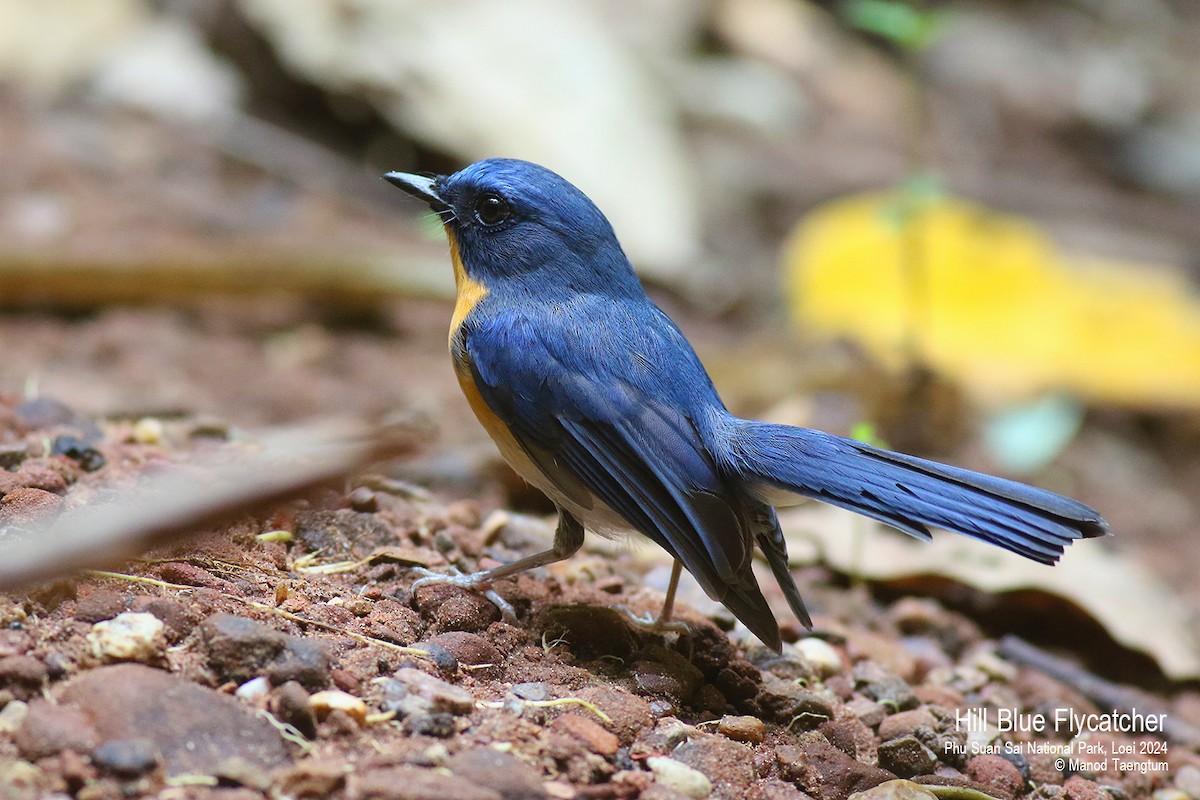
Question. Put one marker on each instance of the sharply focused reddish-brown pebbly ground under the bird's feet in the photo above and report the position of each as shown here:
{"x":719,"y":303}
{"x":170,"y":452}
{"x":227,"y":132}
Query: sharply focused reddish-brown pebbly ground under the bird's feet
{"x":285,"y":655}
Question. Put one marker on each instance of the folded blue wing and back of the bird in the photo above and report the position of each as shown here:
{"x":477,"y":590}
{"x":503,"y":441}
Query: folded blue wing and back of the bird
{"x":599,"y":399}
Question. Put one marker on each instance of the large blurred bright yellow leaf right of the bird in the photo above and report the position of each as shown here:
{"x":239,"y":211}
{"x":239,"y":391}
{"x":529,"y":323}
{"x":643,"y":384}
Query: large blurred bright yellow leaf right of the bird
{"x":991,"y":302}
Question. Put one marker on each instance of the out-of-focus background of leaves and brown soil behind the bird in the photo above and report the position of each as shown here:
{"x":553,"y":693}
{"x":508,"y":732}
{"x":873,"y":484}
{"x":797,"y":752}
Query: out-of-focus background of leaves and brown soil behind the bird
{"x":965,"y":230}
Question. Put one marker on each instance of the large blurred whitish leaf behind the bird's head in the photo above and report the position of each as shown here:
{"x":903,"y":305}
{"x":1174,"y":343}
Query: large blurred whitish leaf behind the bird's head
{"x":549,"y":81}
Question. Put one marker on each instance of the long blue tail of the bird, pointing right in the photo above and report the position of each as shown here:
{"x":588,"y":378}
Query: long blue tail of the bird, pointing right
{"x":908,"y":494}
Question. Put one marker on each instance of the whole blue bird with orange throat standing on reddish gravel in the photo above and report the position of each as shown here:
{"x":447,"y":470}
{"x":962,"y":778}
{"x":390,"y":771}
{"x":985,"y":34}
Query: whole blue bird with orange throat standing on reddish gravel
{"x":596,"y":398}
